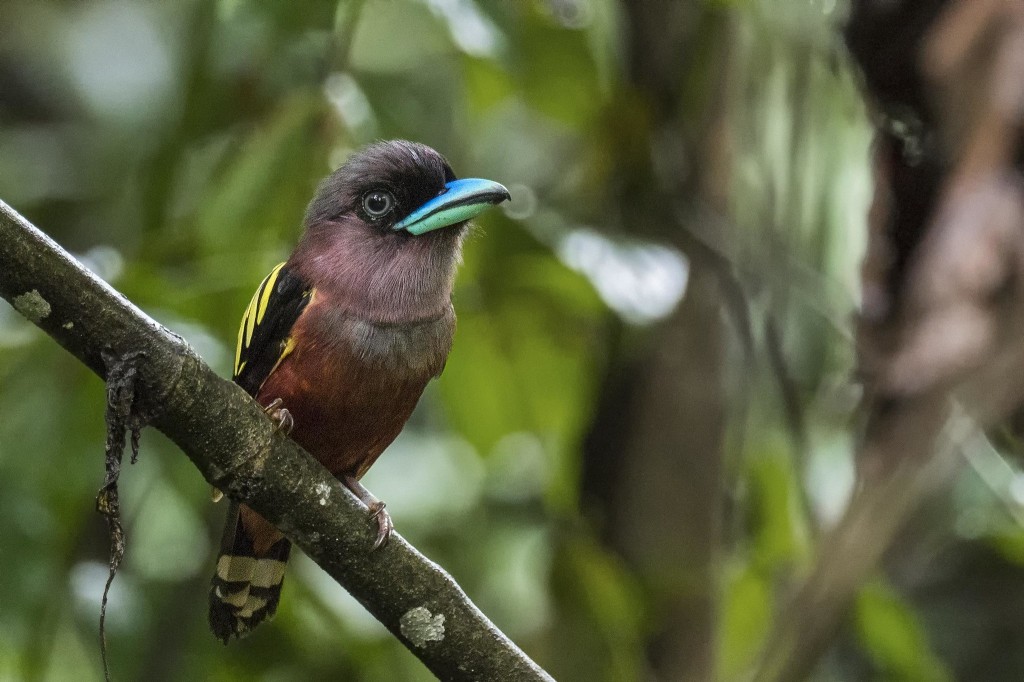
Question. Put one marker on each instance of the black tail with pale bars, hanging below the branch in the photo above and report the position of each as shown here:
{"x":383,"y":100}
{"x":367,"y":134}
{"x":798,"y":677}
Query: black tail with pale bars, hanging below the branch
{"x":246,"y":587}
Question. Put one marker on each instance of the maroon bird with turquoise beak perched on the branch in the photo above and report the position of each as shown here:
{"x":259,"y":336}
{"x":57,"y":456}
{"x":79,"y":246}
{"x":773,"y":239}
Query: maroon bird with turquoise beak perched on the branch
{"x":339,"y":342}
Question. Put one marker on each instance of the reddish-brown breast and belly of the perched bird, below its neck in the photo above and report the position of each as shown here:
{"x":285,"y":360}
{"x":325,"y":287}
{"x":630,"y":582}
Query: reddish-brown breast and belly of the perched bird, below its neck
{"x":352,"y":385}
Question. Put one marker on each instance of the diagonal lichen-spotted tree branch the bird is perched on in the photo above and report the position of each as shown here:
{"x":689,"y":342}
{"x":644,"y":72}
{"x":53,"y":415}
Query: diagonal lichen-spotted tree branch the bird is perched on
{"x":235,"y":447}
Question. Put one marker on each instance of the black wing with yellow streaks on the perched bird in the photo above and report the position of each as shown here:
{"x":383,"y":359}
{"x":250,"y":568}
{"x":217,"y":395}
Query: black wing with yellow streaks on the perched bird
{"x":265,"y":336}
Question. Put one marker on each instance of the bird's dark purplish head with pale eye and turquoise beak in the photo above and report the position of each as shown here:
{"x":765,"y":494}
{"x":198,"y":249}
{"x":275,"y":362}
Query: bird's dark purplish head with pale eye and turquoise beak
{"x":385,"y":231}
